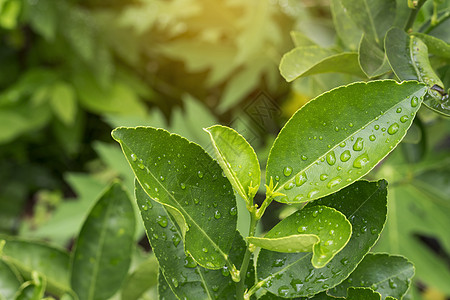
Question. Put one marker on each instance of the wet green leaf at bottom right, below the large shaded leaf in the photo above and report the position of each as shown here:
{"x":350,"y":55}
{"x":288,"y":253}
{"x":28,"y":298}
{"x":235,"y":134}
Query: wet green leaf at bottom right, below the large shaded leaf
{"x":387,"y":275}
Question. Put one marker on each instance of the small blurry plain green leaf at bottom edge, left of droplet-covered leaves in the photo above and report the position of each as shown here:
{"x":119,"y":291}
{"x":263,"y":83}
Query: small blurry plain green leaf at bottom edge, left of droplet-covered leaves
{"x":142,"y":279}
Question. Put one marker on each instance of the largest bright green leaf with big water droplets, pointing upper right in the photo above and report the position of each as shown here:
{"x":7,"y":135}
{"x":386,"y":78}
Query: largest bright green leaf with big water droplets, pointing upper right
{"x":339,"y":137}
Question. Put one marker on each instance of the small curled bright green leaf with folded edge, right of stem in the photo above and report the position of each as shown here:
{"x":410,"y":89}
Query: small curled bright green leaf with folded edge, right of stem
{"x":310,"y":229}
